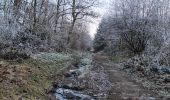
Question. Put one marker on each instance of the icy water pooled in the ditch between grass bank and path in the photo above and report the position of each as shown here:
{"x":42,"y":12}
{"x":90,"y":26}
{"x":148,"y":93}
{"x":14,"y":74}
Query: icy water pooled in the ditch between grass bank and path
{"x":66,"y":92}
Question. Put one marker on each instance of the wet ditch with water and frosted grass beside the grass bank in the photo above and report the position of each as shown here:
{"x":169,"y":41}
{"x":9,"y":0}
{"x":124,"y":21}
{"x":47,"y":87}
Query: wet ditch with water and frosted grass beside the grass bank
{"x":72,"y":85}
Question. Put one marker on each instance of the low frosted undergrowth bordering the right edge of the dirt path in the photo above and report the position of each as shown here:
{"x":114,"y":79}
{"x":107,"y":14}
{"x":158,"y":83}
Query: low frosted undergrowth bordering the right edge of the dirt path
{"x":153,"y":76}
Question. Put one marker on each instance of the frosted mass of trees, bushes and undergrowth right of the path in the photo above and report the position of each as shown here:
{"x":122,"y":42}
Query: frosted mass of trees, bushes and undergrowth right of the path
{"x":138,"y":29}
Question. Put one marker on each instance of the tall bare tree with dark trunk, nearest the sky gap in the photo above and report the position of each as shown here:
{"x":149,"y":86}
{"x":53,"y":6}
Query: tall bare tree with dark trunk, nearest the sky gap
{"x":79,"y":10}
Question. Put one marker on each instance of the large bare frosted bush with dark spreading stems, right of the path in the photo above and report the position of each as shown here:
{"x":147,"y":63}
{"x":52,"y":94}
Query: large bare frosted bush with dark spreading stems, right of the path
{"x":138,"y":24}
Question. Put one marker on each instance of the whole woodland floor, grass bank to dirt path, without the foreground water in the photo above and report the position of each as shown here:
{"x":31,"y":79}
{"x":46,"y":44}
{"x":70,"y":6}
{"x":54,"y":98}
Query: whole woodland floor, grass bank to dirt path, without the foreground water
{"x":101,"y":77}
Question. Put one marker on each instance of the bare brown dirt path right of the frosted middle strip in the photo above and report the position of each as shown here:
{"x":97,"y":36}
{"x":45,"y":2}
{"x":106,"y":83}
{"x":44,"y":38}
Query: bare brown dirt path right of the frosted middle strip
{"x":123,"y":87}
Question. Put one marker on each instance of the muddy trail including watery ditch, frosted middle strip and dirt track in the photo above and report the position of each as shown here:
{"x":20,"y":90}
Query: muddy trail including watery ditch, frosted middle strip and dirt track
{"x":102,"y":81}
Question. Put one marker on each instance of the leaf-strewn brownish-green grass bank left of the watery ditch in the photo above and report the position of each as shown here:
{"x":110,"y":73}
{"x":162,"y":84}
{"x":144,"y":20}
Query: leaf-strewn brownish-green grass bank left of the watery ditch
{"x":29,"y":80}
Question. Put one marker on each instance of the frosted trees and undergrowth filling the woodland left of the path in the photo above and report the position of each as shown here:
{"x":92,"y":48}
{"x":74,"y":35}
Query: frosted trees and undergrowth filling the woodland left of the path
{"x":34,"y":26}
